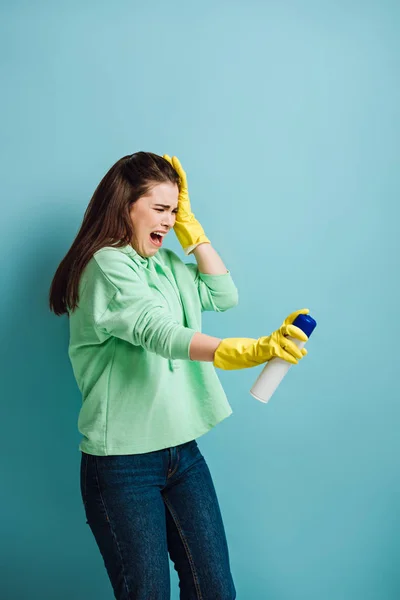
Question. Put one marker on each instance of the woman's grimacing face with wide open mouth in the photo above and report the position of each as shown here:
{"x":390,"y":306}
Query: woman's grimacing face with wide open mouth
{"x":156,"y":211}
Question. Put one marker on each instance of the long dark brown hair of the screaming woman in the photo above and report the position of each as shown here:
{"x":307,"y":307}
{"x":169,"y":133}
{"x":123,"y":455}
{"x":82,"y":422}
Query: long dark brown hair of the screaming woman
{"x":106,"y":221}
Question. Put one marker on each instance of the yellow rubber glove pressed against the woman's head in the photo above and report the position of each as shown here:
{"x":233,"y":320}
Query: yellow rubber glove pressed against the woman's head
{"x":187,"y":228}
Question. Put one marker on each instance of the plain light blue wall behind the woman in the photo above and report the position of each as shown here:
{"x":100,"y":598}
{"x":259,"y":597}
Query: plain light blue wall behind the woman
{"x":285,"y":116}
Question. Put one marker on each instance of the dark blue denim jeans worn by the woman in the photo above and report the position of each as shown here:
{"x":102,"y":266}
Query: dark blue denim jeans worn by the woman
{"x":142,"y":507}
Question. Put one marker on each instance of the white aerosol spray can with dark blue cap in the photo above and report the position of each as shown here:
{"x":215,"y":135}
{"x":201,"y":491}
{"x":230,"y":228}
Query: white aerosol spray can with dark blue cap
{"x":276,"y":368}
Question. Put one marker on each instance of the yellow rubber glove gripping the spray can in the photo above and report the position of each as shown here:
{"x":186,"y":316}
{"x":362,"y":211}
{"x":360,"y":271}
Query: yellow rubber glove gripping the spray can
{"x":242,"y":353}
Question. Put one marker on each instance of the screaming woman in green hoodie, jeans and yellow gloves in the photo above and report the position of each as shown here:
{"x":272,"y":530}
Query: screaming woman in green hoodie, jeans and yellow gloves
{"x":147,"y":378}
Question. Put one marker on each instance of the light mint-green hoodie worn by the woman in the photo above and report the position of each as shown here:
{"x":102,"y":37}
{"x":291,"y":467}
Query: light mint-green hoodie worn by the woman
{"x":129,"y":349}
